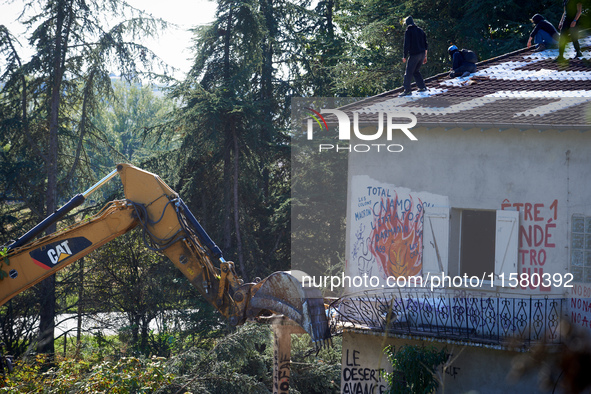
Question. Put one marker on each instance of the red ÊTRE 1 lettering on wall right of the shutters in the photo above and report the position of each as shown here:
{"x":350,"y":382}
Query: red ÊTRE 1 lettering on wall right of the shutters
{"x":536,"y":236}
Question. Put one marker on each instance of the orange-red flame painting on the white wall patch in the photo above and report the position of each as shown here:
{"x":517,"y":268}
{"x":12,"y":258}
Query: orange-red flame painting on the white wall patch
{"x":396,"y":236}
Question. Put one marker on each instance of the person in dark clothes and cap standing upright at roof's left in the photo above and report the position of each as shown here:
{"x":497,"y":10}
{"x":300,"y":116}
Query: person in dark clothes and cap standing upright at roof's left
{"x":415,"y":55}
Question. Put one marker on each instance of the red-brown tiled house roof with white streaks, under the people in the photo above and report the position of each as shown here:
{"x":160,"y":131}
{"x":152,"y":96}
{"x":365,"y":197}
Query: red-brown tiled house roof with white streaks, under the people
{"x":520,"y":89}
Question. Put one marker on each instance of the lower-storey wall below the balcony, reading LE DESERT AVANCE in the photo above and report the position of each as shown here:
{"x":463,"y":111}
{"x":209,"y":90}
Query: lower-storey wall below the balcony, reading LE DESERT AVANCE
{"x":472,"y":370}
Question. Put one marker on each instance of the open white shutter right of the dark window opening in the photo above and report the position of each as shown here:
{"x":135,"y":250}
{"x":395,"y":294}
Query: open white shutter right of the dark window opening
{"x":506,"y":243}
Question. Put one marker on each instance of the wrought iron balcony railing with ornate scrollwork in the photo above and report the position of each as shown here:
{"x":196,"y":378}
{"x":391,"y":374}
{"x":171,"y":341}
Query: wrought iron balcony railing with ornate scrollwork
{"x":493,"y":319}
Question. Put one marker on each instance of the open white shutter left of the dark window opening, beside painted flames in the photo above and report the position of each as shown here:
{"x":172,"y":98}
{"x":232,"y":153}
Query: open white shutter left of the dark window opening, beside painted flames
{"x":435,"y":240}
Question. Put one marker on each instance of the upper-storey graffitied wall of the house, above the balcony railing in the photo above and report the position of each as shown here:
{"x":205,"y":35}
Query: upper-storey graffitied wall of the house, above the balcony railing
{"x":544,"y":175}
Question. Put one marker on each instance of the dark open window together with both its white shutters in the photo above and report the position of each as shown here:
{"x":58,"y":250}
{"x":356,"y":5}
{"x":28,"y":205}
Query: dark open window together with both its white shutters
{"x":472,"y":242}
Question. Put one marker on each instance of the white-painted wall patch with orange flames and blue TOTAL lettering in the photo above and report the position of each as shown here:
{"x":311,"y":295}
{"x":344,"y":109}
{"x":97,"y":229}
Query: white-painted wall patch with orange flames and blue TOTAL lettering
{"x":387,"y":223}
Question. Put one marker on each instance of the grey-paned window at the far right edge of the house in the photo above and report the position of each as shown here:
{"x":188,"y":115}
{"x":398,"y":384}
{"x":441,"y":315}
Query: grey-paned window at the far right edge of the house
{"x":580,"y":252}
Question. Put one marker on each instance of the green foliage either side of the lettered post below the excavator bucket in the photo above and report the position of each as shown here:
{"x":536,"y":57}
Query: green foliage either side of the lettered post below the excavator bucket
{"x":242,"y":362}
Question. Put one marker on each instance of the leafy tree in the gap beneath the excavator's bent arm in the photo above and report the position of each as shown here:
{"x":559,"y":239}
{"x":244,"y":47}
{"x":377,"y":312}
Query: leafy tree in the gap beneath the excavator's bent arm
{"x":146,"y":289}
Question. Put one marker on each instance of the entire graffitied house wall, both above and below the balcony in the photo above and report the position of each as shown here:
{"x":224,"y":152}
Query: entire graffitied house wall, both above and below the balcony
{"x":544,"y":175}
